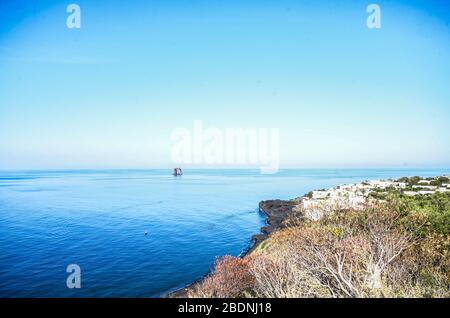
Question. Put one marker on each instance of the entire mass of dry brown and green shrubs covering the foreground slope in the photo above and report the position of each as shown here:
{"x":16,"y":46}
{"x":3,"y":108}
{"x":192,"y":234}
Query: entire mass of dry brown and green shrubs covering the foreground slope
{"x":370,"y":252}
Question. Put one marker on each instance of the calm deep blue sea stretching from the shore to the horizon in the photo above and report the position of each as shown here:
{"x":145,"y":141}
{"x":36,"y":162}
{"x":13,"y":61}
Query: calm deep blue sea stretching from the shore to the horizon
{"x":97,"y":219}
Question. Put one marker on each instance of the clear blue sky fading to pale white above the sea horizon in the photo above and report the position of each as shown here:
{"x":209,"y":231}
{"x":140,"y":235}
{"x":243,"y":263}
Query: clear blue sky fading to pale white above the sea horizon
{"x":109,"y":95}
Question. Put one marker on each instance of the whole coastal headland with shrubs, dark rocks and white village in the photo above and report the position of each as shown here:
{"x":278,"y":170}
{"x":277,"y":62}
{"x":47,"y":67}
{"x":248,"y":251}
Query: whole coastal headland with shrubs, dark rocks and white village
{"x":370,"y":239}
